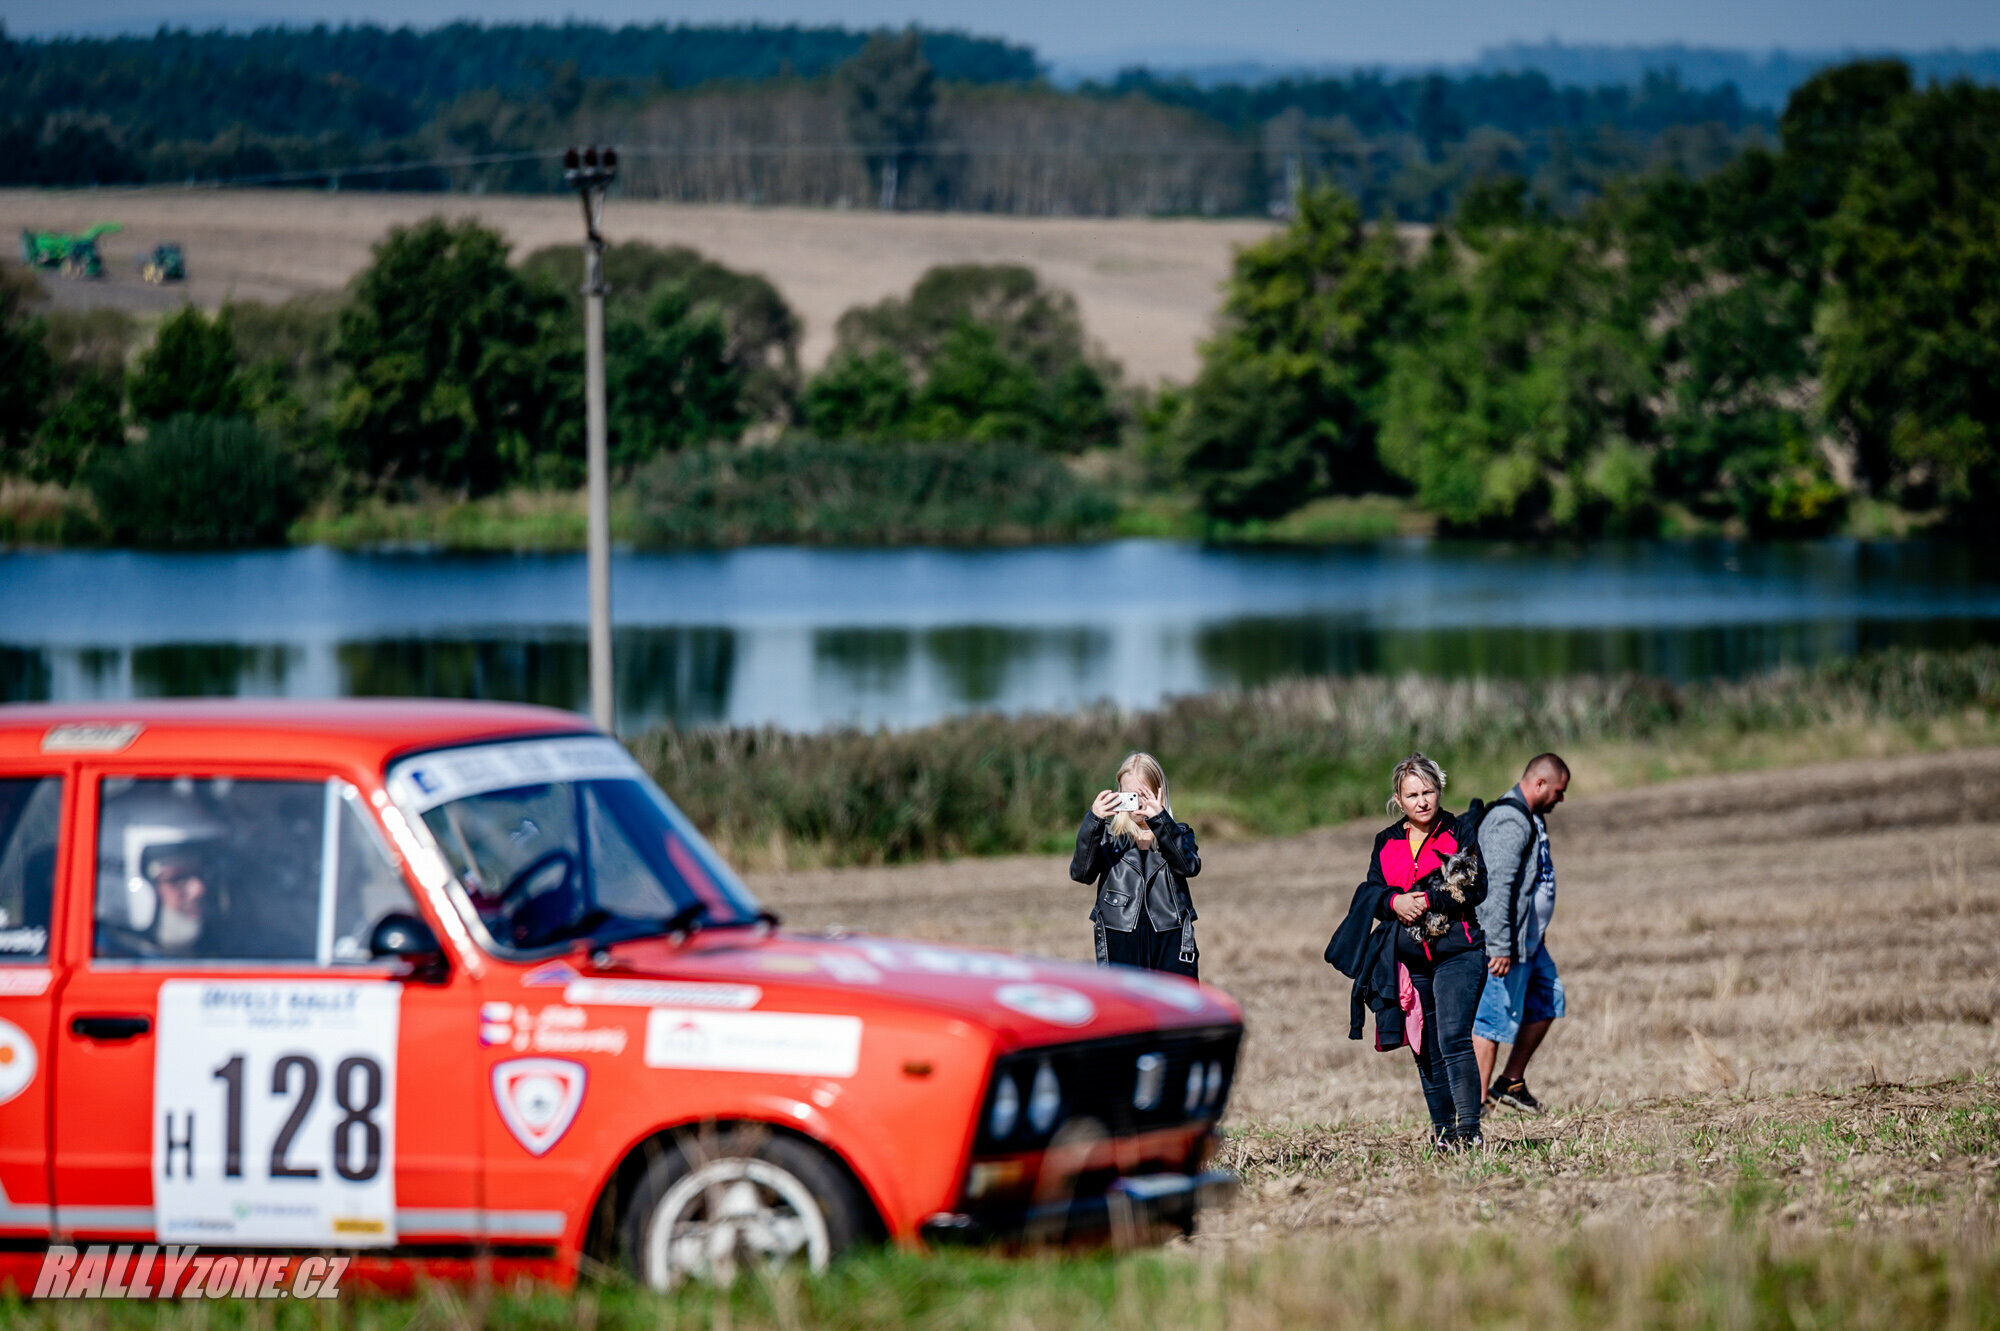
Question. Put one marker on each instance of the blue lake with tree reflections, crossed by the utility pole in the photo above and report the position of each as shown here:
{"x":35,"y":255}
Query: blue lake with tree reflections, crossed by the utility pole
{"x":813,"y":639}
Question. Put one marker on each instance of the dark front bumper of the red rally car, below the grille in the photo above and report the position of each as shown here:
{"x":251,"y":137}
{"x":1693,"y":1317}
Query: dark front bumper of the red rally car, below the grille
{"x":1127,"y":1212}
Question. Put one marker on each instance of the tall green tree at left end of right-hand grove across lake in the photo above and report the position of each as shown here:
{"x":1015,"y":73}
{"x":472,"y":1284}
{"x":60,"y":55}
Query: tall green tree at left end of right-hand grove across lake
{"x":1289,"y":397}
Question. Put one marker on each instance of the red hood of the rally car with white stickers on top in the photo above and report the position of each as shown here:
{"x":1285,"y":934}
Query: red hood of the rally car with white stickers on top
{"x":1023,"y":1000}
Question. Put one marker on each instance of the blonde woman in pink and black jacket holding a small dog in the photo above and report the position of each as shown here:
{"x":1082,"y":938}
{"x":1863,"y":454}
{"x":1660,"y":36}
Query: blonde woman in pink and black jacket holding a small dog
{"x":1449,"y":972}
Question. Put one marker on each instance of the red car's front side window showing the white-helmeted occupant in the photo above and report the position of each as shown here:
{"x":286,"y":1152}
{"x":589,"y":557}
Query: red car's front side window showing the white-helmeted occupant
{"x":239,"y":870}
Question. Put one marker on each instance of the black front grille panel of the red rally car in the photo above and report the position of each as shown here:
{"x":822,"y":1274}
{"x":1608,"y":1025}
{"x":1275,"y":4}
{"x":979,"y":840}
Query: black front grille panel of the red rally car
{"x":1129,"y":1084}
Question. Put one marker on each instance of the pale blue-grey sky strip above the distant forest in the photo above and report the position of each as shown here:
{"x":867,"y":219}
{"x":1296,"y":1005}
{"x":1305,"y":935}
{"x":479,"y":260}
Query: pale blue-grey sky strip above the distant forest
{"x":1161,"y":31}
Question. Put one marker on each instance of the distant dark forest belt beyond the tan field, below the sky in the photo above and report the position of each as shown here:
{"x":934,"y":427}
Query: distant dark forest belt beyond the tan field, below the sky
{"x":813,"y":117}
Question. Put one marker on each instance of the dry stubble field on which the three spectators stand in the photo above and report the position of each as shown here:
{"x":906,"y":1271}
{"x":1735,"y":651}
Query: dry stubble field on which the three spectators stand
{"x":1783,"y":1000}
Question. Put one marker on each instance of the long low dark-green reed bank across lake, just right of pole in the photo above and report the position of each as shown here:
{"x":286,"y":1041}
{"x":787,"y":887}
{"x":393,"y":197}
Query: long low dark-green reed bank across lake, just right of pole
{"x":865,"y":495}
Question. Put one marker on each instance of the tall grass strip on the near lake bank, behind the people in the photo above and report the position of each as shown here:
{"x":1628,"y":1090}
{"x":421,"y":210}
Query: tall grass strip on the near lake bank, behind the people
{"x":1273,"y":760}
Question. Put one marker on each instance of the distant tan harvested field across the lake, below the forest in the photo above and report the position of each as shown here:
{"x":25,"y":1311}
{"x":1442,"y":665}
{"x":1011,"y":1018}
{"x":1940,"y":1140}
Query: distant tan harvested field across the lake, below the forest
{"x":1147,"y":287}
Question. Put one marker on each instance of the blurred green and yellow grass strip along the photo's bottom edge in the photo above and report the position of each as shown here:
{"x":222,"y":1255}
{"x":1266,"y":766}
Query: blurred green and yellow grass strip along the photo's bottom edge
{"x":1489,"y":1280}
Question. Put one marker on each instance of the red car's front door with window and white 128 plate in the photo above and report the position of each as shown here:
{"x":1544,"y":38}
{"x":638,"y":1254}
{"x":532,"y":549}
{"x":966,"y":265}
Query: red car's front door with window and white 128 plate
{"x":231,"y":1064}
